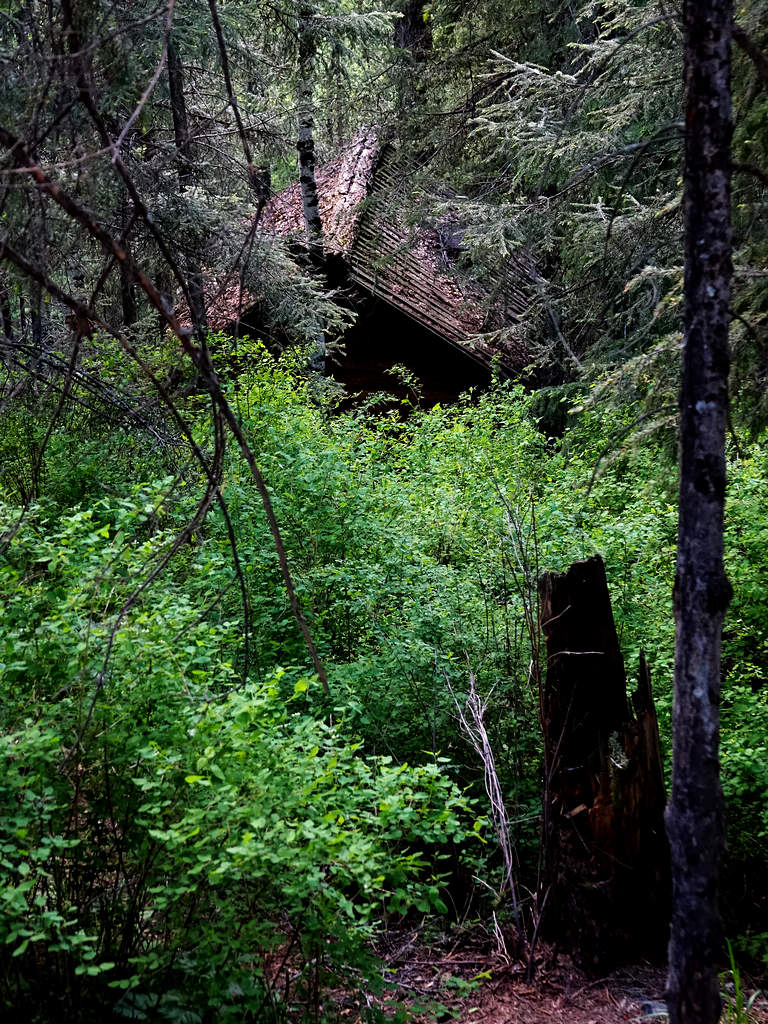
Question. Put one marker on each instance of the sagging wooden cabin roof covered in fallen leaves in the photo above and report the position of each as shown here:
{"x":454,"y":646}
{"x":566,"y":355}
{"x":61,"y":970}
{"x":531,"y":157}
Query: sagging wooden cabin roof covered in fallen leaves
{"x":363,"y":193}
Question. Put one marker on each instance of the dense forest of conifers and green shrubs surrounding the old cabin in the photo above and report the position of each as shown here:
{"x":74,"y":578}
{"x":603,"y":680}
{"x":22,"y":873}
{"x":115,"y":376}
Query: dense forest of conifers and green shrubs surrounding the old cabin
{"x":196,"y":824}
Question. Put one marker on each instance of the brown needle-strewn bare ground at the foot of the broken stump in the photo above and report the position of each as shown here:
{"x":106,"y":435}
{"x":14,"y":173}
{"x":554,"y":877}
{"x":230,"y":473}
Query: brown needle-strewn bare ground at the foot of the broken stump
{"x":464,"y":983}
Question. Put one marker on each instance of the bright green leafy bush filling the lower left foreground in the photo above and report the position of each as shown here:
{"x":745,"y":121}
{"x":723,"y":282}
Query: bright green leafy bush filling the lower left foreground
{"x":166,"y":828}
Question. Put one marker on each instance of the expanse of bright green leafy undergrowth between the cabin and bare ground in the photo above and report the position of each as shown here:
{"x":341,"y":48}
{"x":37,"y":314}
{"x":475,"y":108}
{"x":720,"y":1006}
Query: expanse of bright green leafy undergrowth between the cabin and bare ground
{"x":192,"y":834}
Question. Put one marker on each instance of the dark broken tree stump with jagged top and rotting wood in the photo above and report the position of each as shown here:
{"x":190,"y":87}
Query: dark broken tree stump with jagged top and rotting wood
{"x":606,"y":855}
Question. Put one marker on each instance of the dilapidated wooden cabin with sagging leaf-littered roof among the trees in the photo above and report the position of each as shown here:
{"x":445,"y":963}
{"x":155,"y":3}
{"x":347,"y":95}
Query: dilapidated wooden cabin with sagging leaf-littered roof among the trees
{"x":415,"y":305}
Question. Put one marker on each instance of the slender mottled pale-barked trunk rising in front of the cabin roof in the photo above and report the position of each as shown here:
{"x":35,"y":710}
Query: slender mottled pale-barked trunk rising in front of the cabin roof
{"x":306,"y":147}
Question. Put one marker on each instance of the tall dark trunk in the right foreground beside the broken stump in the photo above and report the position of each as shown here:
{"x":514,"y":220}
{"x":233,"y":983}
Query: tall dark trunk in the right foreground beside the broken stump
{"x":695,"y":816}
